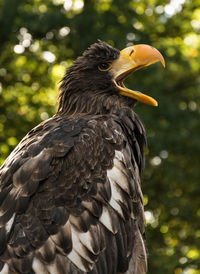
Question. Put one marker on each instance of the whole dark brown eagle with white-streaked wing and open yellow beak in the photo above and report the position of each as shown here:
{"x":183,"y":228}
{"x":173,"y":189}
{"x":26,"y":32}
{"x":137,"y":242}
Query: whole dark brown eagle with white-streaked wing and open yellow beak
{"x":70,"y":192}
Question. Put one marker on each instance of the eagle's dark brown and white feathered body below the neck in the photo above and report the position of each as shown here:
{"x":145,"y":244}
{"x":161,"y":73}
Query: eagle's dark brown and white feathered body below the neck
{"x":71,"y":200}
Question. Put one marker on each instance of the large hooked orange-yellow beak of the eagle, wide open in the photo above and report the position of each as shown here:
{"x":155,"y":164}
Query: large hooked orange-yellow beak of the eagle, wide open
{"x":131,"y":59}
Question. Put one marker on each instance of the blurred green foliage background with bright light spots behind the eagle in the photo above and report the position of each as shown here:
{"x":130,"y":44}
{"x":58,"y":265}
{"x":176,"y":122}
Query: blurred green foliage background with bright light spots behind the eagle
{"x":40,"y":39}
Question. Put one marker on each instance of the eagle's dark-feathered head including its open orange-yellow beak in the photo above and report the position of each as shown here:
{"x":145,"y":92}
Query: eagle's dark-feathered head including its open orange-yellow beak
{"x":94,"y":83}
